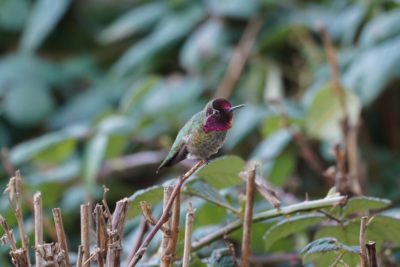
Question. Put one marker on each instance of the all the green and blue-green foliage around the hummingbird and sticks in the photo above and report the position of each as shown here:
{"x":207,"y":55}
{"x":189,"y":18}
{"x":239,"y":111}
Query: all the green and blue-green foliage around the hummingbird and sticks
{"x":91,"y":92}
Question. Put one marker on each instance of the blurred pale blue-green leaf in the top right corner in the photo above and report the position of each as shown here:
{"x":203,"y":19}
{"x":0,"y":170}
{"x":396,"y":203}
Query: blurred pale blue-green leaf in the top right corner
{"x":380,"y":28}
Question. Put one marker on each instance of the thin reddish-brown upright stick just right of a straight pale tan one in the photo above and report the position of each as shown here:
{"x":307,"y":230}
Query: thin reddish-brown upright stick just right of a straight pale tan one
{"x":101,"y":235}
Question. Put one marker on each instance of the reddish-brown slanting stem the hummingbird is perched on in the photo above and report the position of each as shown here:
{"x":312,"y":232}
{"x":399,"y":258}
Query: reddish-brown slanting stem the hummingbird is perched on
{"x":142,"y":249}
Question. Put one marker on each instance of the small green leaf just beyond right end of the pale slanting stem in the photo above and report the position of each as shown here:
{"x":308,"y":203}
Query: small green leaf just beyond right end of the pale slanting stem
{"x":361,"y":204}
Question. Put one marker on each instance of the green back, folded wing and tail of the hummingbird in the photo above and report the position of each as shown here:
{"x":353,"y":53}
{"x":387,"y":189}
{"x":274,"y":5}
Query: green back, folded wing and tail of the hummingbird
{"x":178,"y":151}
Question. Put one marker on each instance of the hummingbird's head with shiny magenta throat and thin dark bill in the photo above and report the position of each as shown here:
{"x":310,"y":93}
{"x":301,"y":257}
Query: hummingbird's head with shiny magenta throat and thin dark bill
{"x":219,"y":115}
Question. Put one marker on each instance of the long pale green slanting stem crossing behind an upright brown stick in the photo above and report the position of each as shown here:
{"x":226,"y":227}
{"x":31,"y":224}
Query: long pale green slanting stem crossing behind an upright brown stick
{"x":265,"y":215}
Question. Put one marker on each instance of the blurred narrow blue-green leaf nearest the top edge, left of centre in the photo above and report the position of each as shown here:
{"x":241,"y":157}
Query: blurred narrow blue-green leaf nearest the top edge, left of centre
{"x":134,"y":21}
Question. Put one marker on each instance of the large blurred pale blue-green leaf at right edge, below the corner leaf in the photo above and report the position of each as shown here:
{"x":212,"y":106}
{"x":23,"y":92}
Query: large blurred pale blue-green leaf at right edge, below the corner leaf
{"x":365,"y":79}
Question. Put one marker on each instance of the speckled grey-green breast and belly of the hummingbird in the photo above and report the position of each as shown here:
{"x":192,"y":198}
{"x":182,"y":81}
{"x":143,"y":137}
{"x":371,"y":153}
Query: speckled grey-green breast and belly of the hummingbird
{"x":202,"y":145}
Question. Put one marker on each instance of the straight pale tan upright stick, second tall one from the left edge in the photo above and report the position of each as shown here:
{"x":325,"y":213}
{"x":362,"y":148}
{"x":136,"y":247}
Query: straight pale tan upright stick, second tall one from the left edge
{"x":38,"y":214}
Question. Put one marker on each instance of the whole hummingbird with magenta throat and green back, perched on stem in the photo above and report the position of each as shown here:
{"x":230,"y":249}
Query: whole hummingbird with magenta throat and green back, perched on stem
{"x":204,"y":134}
